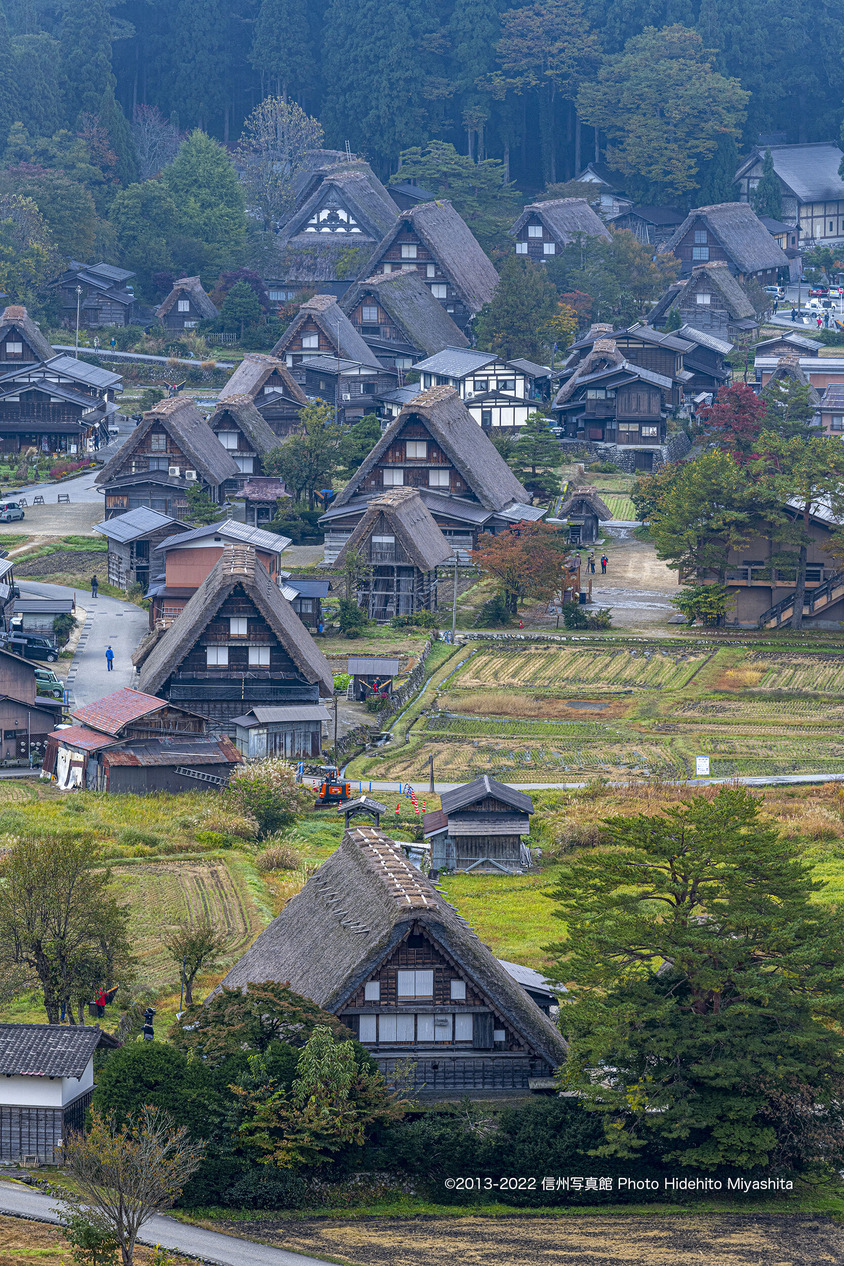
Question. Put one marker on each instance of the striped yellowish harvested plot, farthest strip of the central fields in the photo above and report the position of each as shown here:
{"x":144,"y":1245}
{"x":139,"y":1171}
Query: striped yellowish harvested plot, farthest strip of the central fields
{"x":556,"y":668}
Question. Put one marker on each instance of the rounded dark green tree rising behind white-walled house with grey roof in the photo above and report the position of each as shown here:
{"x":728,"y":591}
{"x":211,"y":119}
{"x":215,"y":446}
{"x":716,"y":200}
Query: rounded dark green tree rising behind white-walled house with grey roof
{"x":514,"y":323}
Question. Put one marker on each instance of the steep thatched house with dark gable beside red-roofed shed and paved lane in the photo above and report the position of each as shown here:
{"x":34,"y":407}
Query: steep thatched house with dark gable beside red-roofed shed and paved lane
{"x":237,"y":644}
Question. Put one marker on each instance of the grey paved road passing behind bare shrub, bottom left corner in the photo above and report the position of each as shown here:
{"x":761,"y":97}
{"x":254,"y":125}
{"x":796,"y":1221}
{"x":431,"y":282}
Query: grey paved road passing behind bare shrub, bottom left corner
{"x":209,"y":1246}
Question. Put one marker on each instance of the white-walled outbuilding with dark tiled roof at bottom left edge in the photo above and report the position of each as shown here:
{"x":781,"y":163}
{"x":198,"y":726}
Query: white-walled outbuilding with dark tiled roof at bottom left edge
{"x":46,"y":1087}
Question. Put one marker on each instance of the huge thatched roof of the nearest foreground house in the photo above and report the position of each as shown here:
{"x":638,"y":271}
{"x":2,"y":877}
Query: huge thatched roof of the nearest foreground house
{"x":350,"y":918}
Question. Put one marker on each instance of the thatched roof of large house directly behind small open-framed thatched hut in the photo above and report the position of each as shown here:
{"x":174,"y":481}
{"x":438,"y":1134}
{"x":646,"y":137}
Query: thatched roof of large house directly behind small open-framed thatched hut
{"x":462,"y":441}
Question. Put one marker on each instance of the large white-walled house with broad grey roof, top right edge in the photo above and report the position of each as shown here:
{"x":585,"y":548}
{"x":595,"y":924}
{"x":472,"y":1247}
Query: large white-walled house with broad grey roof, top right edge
{"x":812,"y":188}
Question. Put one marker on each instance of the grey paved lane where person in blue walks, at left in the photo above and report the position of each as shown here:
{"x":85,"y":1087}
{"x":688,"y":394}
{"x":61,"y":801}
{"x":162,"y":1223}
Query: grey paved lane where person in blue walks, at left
{"x":111,"y":622}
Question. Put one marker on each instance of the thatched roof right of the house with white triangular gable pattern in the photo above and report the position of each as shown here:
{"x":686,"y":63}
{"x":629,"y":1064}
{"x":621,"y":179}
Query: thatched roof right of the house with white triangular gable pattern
{"x":455,"y":248}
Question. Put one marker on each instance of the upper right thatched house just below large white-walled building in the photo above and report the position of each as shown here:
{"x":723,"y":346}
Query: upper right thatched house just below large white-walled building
{"x":728,"y":234}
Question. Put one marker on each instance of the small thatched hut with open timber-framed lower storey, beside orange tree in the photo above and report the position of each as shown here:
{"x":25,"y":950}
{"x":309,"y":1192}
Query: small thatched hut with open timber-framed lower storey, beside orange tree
{"x":403,"y":549}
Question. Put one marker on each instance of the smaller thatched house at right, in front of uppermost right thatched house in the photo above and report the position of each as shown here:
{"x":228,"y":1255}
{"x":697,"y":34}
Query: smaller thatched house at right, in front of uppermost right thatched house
{"x":711,"y":301}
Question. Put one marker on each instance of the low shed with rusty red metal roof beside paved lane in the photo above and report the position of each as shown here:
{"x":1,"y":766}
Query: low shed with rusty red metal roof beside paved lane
{"x":135,"y":744}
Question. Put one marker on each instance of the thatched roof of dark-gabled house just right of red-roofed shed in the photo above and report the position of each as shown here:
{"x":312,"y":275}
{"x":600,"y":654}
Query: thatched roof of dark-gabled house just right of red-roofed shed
{"x":237,"y":568}
